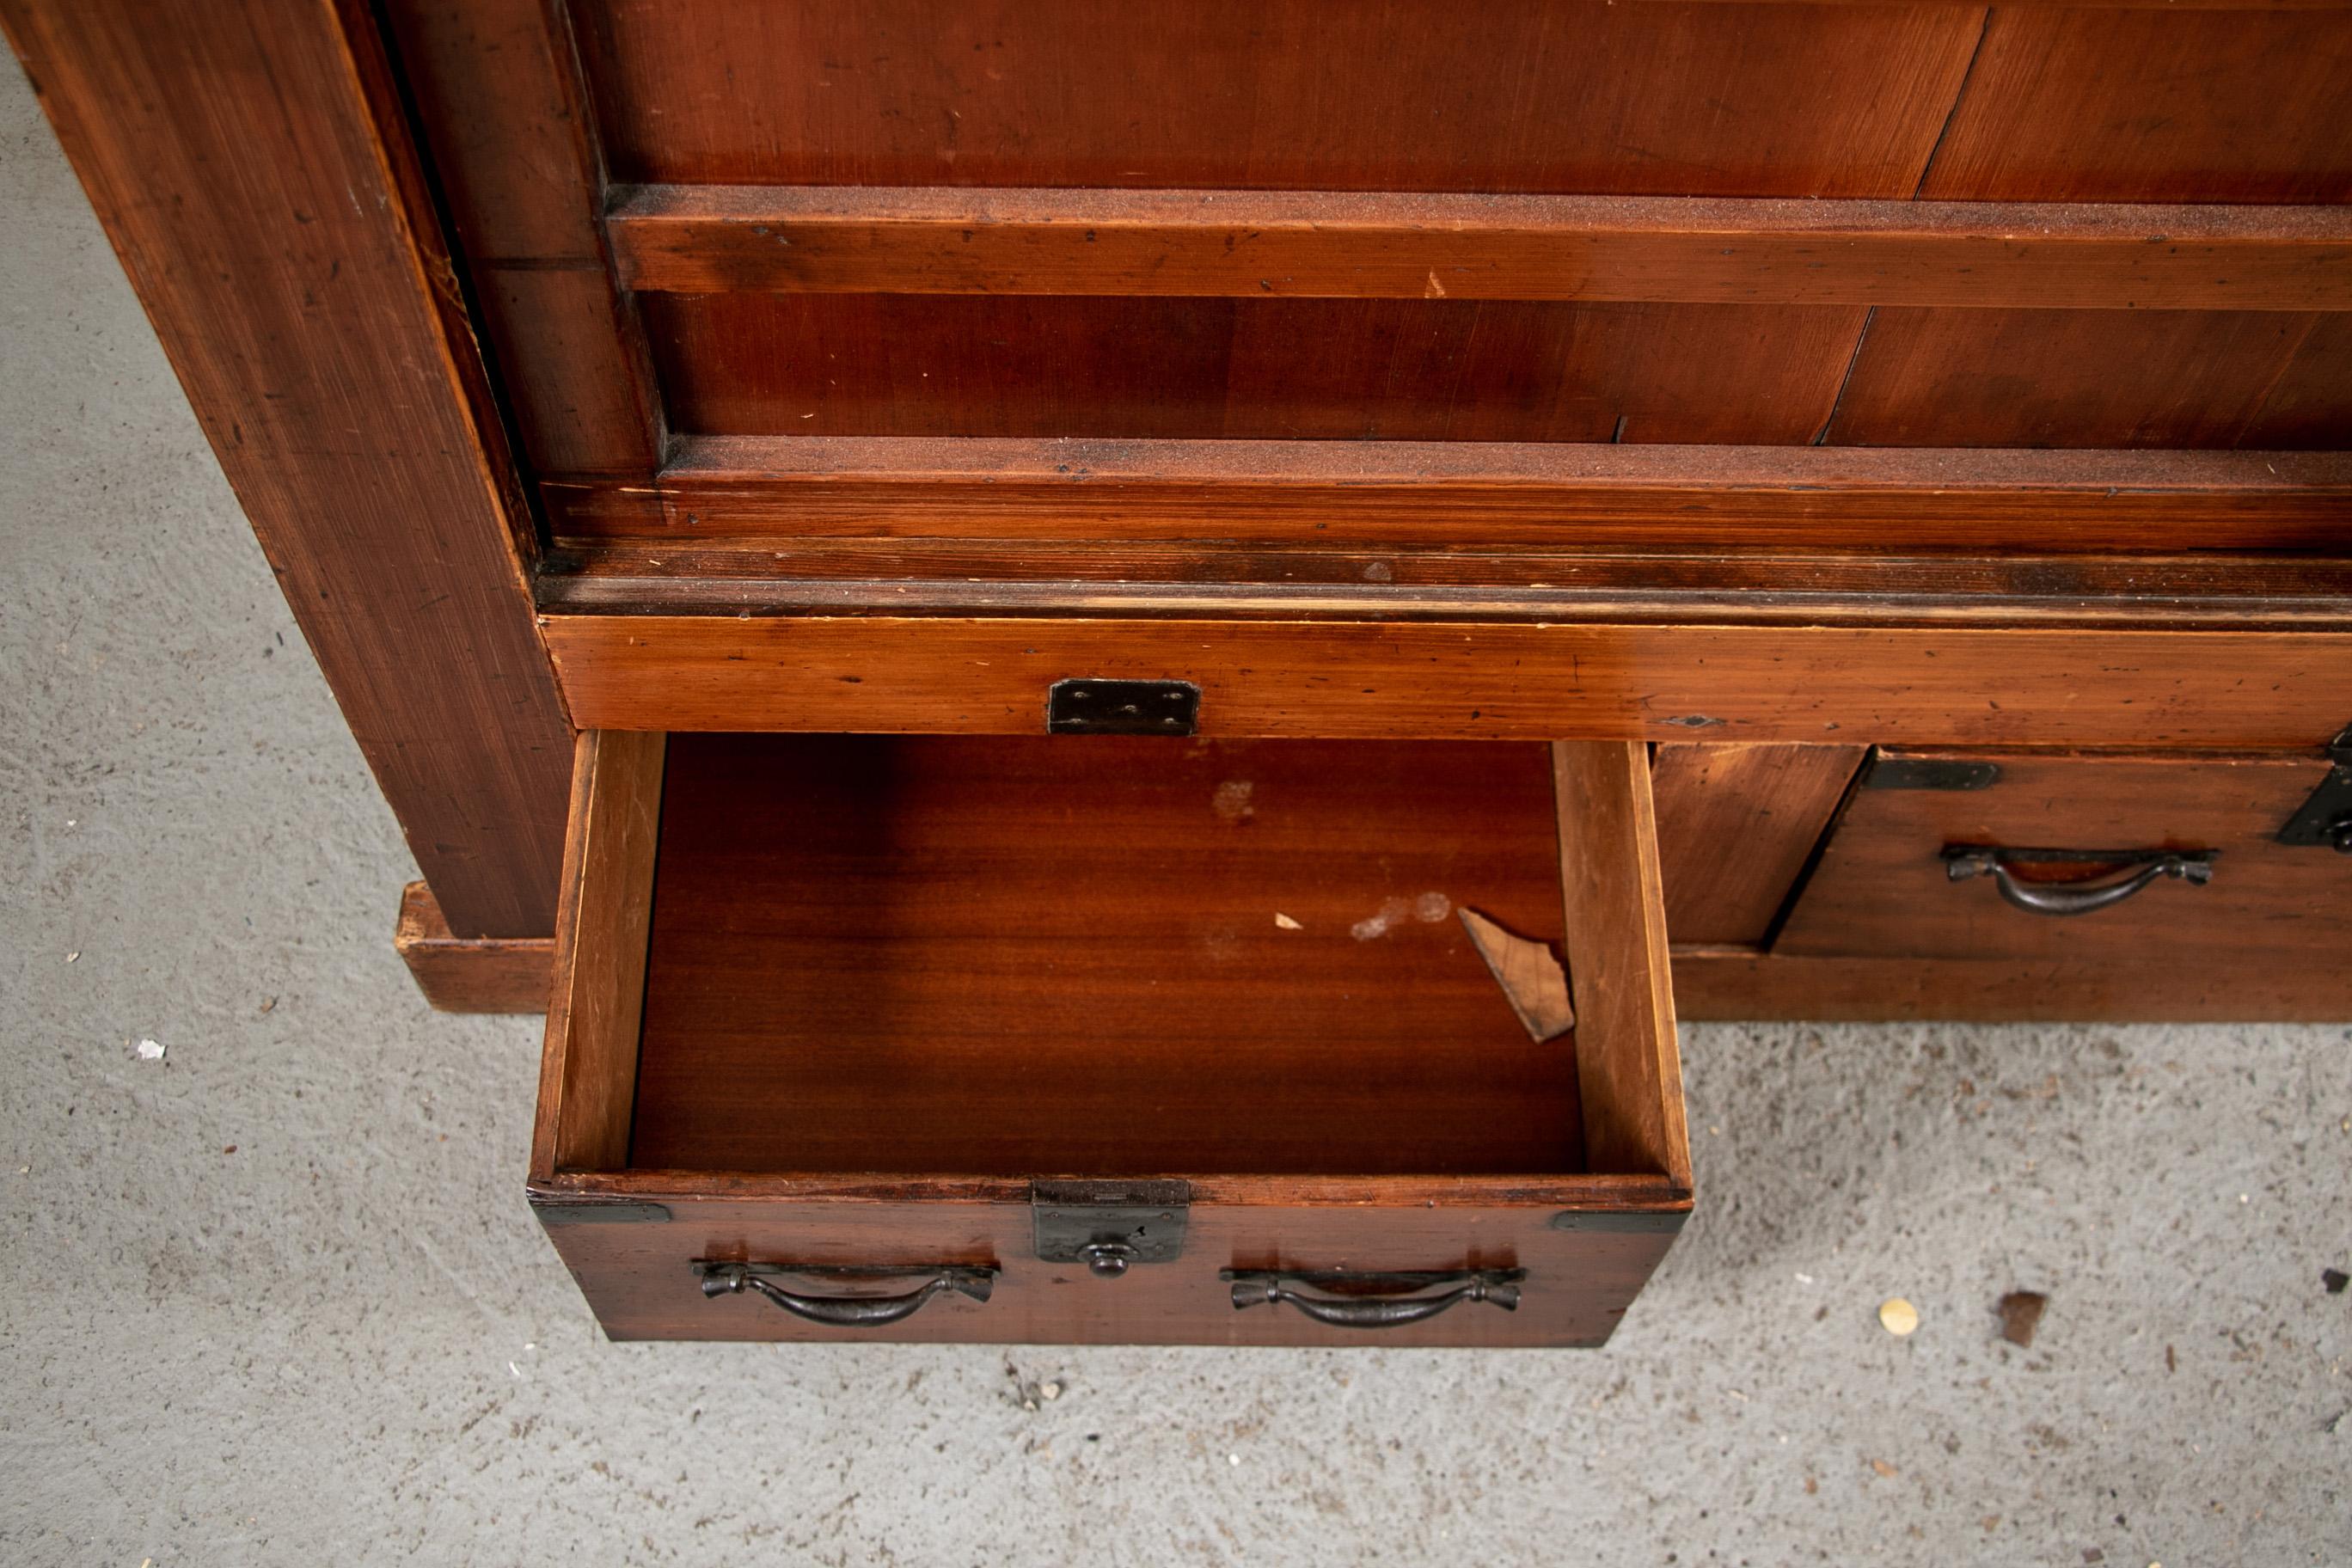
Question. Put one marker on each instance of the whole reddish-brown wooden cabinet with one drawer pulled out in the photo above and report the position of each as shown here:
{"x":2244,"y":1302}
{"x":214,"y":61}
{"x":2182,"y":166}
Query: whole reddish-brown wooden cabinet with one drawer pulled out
{"x":1457,"y":403}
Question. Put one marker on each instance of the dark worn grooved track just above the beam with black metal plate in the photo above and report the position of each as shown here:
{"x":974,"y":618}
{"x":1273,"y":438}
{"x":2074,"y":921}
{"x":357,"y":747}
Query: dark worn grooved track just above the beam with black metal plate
{"x":1438,"y":584}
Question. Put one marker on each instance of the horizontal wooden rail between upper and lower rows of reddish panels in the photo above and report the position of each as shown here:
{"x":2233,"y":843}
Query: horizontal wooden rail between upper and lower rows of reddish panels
{"x":1339,"y":246}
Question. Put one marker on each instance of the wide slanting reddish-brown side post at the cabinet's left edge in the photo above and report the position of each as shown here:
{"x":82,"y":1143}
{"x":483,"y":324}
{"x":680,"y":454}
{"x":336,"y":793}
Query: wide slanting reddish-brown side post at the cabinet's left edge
{"x":250,"y":166}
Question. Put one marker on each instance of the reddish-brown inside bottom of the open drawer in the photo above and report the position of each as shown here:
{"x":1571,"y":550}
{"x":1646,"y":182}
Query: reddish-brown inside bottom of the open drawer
{"x":1100,"y":958}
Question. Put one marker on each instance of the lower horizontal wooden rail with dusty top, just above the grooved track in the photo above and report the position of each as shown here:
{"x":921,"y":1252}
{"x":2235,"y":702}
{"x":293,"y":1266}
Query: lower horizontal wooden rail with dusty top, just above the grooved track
{"x":1471,"y":495}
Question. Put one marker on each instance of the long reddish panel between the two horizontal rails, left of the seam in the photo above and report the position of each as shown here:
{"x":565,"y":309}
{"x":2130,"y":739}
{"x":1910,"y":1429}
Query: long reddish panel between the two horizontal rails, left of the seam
{"x":1248,"y":368}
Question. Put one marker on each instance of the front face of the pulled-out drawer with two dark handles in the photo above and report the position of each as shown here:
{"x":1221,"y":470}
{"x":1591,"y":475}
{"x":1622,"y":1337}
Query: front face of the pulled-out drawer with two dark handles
{"x":639,"y":1273}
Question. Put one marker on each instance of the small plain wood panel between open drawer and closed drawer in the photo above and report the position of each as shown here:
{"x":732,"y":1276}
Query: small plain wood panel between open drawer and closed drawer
{"x":1737,"y":826}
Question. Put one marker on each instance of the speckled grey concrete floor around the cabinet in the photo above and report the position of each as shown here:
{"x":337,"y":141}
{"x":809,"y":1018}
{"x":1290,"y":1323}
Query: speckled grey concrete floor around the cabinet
{"x":276,"y":1296}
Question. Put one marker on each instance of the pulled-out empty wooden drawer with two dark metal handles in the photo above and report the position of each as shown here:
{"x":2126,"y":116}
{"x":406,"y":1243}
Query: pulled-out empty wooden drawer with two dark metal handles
{"x":1109,"y":1040}
